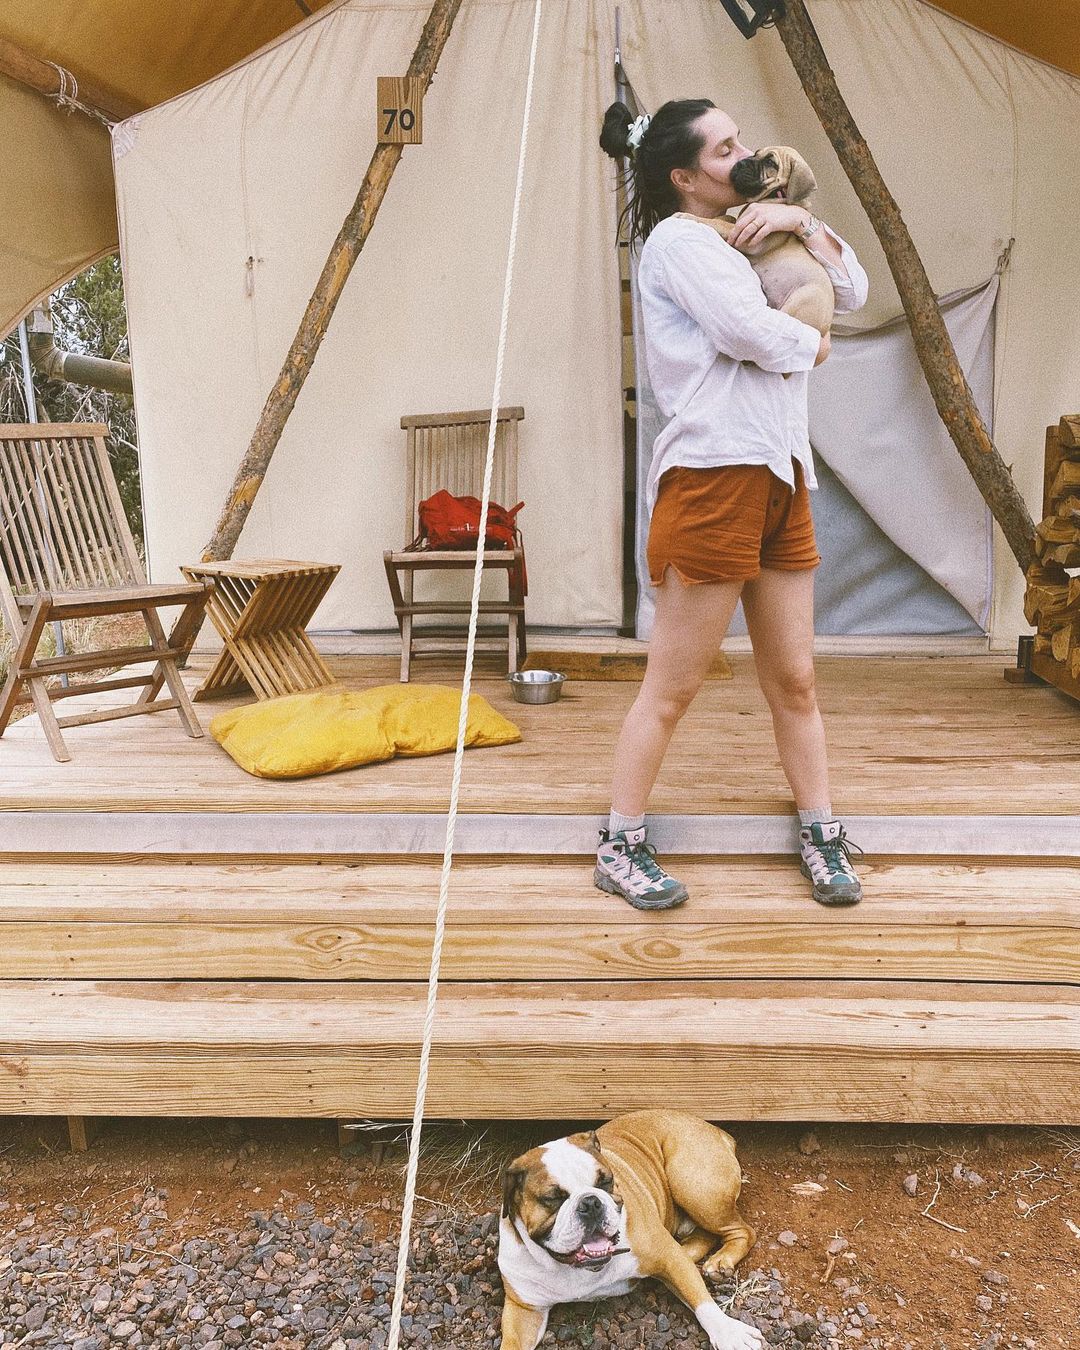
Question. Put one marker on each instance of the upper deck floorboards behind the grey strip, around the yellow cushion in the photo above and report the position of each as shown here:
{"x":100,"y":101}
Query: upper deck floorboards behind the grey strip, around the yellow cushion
{"x":907,"y":736}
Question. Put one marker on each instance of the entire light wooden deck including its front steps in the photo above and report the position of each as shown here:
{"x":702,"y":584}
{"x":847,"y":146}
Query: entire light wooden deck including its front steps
{"x":180,"y":939}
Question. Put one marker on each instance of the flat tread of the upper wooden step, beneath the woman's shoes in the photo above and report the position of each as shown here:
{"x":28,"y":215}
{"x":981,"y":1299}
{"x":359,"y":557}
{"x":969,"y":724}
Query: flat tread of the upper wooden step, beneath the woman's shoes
{"x":530,"y":892}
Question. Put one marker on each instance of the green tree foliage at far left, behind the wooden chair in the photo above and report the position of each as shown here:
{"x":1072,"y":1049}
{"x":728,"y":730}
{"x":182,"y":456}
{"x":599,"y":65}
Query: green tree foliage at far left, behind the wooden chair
{"x":90,"y":318}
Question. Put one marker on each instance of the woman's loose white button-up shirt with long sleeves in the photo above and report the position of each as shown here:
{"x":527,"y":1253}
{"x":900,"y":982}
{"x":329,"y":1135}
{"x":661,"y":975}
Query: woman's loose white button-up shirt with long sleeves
{"x":718,"y":354}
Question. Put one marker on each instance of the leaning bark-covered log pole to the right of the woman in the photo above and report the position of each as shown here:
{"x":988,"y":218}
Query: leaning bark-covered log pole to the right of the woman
{"x":934,"y":346}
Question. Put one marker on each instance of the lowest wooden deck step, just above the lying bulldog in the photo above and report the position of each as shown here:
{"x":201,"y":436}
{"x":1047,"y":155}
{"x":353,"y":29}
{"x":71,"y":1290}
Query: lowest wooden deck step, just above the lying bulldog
{"x":751,"y":1050}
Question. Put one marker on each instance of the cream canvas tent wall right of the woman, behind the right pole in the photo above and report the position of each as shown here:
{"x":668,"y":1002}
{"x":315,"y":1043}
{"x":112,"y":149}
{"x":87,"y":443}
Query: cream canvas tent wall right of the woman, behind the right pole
{"x":975,"y":142}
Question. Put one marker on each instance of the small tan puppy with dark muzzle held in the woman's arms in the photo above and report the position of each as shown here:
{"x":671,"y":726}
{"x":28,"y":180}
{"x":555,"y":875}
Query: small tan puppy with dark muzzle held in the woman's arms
{"x":792,"y":279}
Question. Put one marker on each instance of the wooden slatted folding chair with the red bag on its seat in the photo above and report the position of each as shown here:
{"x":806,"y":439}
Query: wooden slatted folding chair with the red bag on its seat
{"x":449,"y":452}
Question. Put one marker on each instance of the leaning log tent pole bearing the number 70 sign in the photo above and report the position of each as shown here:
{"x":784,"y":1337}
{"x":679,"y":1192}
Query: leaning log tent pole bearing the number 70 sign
{"x":321,"y":308}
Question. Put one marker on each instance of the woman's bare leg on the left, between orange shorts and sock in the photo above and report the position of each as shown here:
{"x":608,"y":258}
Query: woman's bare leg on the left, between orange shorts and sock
{"x":686,"y":635}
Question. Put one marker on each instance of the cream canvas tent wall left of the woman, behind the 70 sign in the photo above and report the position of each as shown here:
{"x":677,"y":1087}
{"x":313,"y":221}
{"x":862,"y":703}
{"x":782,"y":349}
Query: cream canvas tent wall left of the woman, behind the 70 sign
{"x":263,"y":164}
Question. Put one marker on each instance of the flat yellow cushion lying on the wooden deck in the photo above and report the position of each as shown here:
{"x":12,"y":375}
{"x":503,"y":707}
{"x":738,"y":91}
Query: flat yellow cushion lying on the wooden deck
{"x":323,"y":731}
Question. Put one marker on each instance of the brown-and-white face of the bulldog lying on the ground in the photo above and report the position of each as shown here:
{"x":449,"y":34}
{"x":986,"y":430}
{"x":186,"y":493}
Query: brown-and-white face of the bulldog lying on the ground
{"x":562,"y":1198}
